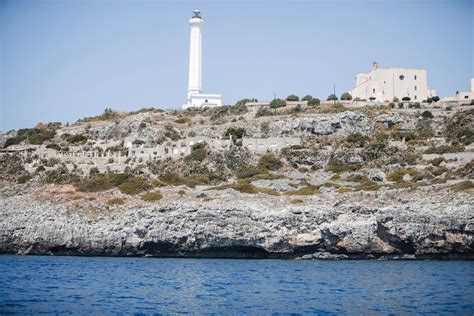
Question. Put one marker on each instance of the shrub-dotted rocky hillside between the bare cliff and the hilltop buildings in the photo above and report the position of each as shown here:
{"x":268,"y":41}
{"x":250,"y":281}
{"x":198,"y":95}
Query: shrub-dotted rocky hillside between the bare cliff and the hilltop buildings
{"x":342,"y":150}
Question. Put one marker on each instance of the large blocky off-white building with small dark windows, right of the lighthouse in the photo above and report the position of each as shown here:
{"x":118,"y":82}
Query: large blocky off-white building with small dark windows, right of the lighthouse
{"x":386,"y":83}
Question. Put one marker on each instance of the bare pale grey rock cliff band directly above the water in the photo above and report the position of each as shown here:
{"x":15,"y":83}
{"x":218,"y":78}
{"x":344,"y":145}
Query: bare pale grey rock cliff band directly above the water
{"x":235,"y":225}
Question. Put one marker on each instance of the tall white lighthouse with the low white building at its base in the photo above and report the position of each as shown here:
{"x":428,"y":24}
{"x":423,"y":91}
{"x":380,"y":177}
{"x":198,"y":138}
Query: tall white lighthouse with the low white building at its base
{"x":195,"y":96}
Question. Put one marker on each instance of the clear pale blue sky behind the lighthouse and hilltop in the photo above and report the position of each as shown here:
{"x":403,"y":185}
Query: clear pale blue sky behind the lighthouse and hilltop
{"x":63,"y":60}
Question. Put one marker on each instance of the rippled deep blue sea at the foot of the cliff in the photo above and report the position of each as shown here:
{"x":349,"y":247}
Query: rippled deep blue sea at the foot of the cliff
{"x":148,"y":285}
